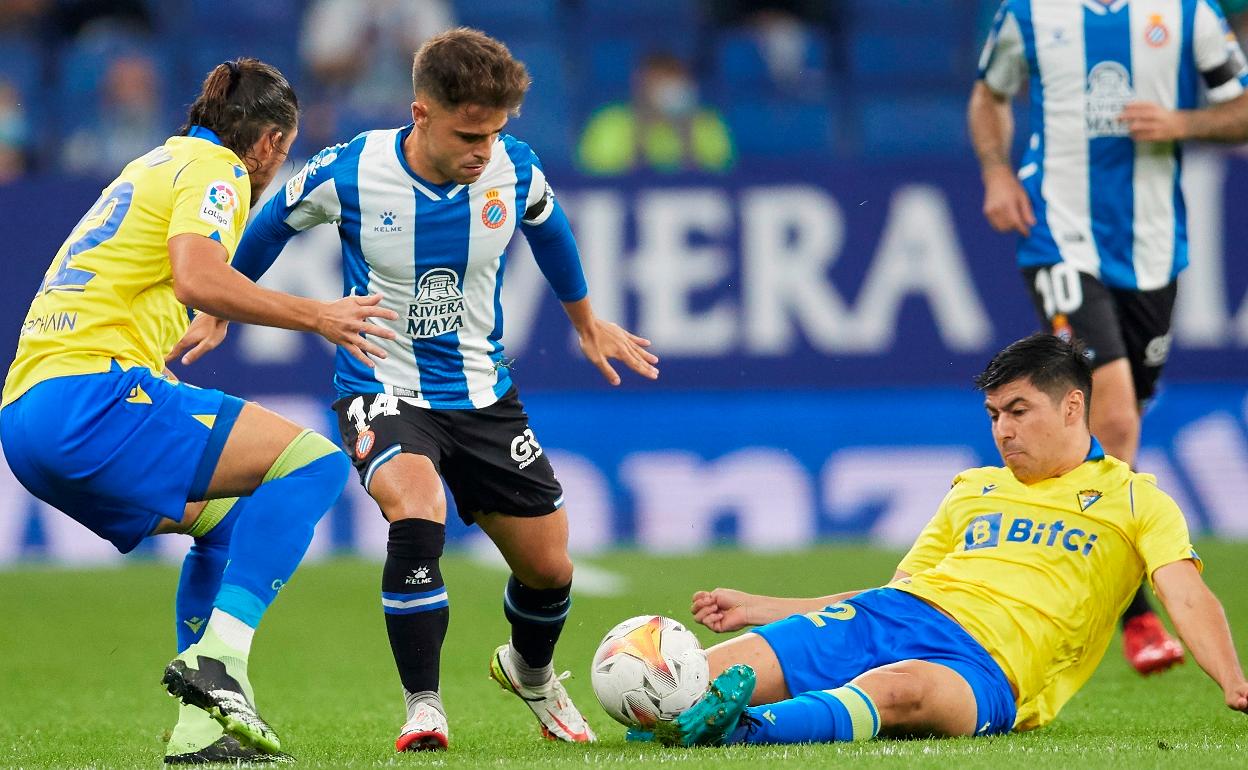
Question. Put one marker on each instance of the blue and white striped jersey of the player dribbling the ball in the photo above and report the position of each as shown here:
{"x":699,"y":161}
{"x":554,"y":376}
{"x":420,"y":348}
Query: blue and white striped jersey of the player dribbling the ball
{"x":435,"y":253}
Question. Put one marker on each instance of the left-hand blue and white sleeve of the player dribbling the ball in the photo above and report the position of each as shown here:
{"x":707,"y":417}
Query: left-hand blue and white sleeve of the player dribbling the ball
{"x":309,"y":199}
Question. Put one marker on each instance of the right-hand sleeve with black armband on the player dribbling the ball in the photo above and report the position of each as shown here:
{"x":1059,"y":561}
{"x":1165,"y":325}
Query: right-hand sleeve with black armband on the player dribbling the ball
{"x":550,"y":235}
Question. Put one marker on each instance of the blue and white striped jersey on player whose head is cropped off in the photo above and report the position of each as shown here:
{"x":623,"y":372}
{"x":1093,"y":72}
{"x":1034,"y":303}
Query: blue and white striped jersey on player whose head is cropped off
{"x":1105,"y":204}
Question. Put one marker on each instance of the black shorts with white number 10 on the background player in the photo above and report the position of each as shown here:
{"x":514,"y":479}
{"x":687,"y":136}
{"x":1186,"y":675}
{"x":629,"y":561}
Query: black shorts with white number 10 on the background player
{"x":1111,"y":324}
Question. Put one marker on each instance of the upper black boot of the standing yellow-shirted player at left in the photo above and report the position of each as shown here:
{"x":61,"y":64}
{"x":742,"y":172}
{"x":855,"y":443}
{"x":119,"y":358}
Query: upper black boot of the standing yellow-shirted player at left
{"x":213,"y":690}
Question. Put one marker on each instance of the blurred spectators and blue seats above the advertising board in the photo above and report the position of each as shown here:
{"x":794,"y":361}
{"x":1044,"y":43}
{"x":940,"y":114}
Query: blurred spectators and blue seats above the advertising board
{"x":87,"y":85}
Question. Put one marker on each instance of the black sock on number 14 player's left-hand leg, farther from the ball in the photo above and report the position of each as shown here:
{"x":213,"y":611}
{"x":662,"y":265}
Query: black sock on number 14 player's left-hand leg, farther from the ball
{"x":415,"y":601}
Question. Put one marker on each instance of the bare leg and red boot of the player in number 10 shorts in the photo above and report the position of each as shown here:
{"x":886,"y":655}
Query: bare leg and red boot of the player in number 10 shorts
{"x":1116,"y":424}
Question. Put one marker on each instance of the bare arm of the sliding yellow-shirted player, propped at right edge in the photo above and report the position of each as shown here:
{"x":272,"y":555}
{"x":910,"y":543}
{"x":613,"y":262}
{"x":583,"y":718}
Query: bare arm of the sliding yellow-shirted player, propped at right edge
{"x":1201,"y":622}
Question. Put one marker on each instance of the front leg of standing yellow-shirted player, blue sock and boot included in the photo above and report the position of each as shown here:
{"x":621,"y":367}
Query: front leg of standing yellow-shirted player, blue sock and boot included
{"x":294,"y":476}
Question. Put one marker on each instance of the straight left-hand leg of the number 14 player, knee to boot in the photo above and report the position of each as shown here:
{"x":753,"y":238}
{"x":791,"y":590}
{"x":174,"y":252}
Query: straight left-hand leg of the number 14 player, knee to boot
{"x":411,"y":496}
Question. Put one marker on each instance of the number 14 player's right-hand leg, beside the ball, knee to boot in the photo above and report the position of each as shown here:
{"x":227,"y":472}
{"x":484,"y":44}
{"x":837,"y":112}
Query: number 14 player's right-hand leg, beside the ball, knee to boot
{"x":536,"y":602}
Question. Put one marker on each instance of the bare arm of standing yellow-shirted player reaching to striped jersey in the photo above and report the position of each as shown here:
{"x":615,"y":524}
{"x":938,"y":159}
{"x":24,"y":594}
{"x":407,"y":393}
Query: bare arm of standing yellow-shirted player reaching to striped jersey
{"x":204,"y":281}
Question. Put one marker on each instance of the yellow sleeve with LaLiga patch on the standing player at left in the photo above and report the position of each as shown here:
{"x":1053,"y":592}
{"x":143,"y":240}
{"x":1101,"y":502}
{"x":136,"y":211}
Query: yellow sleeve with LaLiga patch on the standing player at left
{"x":213,"y":202}
